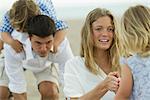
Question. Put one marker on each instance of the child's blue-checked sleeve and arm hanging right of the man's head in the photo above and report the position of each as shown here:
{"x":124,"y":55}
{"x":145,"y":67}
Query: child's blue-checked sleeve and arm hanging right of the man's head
{"x":47,"y":8}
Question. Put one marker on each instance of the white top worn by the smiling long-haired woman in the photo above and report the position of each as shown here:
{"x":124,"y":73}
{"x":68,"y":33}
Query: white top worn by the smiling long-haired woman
{"x":78,"y":80}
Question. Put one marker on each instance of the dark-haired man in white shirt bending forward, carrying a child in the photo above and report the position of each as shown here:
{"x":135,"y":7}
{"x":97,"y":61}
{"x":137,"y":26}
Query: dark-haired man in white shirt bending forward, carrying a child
{"x":35,"y":57}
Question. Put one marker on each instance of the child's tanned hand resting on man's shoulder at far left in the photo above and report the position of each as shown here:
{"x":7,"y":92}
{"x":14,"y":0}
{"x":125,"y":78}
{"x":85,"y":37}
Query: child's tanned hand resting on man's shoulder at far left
{"x":17,"y":46}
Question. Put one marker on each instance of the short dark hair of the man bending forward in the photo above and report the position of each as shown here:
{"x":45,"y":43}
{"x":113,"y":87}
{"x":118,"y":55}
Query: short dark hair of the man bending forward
{"x":41,"y":26}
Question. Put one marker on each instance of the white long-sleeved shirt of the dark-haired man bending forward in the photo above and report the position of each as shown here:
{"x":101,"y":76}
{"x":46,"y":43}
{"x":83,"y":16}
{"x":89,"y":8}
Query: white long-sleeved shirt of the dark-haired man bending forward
{"x":15,"y":62}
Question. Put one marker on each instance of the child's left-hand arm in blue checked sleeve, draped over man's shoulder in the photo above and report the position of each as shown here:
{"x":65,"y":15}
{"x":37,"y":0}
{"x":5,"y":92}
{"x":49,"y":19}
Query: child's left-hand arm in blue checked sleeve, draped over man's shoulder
{"x":6,"y":30}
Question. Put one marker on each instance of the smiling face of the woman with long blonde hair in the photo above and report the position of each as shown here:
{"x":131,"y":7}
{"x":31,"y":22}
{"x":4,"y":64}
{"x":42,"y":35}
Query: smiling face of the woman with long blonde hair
{"x":103,"y":33}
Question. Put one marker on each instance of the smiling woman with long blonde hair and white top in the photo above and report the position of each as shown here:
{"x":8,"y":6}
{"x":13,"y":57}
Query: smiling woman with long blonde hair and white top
{"x":91,"y":76}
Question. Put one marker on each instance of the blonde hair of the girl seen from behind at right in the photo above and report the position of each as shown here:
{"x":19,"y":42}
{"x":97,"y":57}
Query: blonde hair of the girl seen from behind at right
{"x":136,"y":30}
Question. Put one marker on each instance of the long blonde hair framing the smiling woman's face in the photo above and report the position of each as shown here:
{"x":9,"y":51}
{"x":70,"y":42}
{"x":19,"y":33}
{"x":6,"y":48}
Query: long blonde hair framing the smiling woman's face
{"x":87,"y":44}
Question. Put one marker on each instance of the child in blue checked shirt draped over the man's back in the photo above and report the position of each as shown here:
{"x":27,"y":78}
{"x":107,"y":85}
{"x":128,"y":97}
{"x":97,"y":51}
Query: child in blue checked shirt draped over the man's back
{"x":24,"y":9}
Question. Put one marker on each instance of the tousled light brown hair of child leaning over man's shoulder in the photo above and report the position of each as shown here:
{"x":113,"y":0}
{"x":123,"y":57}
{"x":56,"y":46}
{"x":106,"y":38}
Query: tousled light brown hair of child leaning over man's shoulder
{"x":21,"y":11}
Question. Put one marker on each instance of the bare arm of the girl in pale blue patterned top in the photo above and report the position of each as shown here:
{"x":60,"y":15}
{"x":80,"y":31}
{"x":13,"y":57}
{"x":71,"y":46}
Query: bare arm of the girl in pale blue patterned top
{"x":126,"y":83}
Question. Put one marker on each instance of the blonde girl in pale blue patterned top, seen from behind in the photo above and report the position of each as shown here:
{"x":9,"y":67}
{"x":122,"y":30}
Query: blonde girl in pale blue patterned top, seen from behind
{"x":135,"y":39}
